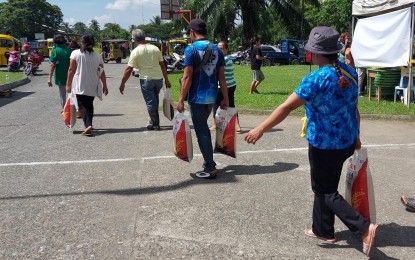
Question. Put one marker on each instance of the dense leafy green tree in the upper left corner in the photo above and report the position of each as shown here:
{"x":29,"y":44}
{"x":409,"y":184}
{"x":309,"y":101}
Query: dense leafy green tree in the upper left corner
{"x":24,"y":18}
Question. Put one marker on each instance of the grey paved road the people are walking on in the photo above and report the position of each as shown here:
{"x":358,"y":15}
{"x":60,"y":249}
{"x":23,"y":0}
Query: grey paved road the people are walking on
{"x":123,"y":195}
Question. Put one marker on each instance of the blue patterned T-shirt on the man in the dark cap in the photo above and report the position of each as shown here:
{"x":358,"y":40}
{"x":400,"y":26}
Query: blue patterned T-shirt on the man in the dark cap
{"x":204,"y":83}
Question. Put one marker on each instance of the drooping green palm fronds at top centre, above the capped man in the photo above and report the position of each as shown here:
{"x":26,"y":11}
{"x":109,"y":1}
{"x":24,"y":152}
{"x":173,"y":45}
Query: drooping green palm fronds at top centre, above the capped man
{"x":254,"y":15}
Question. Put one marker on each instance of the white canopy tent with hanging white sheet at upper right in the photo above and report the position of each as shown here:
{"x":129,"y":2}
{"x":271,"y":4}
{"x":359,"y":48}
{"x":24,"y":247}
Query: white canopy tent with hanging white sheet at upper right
{"x":383,"y":34}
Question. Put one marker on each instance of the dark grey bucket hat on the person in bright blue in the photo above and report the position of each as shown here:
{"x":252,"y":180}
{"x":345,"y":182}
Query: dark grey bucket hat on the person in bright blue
{"x":323,"y":40}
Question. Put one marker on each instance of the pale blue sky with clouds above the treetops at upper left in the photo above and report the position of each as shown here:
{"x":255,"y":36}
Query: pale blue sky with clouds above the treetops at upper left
{"x":122,"y":12}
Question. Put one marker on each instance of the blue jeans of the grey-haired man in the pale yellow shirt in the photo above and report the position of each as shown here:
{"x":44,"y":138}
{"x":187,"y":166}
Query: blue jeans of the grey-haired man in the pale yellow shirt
{"x":151,"y":90}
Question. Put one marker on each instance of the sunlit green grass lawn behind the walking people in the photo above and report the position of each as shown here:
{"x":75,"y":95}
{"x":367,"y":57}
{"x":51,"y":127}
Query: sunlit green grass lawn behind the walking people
{"x":280,"y":82}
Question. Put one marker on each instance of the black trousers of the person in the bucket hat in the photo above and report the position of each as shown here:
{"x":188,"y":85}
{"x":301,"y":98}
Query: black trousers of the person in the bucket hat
{"x":326,"y":167}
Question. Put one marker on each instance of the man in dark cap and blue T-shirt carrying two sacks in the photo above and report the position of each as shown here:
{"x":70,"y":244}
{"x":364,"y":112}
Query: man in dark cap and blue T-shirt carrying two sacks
{"x":201,"y":88}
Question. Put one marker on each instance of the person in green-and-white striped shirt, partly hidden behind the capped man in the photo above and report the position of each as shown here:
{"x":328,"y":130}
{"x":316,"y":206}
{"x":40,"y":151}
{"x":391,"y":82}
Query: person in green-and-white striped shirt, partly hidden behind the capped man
{"x":230,"y":83}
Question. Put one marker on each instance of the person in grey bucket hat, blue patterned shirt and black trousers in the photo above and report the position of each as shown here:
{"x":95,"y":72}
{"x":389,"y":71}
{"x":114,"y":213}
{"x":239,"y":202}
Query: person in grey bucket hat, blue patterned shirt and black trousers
{"x":329,"y":96}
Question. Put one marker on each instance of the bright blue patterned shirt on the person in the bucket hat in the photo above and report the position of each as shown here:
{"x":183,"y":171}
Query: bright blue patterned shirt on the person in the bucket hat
{"x":331,"y":112}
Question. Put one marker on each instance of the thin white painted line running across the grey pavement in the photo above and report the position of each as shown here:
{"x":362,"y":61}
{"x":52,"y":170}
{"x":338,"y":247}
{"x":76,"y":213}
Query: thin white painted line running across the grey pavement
{"x":142,"y":159}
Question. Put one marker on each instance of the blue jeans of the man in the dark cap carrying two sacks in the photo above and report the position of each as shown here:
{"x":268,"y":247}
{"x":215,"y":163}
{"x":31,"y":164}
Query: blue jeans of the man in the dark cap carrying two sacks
{"x":200,"y":114}
